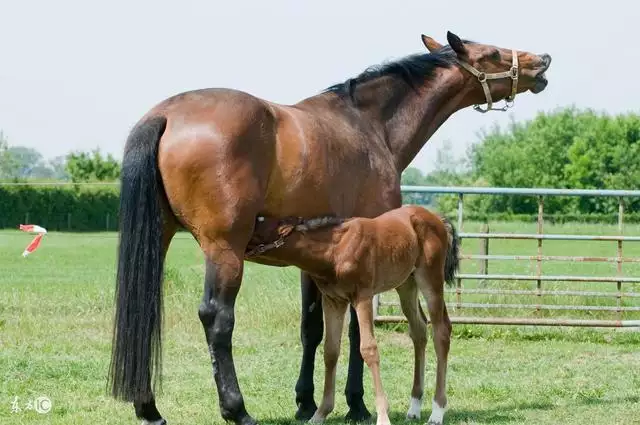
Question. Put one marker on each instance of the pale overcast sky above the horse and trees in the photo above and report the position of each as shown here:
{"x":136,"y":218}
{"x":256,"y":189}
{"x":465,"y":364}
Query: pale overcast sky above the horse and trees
{"x":78,"y":74}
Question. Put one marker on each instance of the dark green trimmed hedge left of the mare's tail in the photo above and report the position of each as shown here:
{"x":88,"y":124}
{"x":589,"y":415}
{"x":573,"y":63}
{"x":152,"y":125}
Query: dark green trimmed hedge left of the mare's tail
{"x":68,"y":208}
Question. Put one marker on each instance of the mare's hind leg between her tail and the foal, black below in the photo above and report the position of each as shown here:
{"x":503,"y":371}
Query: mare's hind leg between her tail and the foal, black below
{"x":224,"y":267}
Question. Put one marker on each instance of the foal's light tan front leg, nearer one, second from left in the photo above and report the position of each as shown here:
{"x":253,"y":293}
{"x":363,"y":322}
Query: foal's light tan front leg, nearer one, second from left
{"x":369,"y":351}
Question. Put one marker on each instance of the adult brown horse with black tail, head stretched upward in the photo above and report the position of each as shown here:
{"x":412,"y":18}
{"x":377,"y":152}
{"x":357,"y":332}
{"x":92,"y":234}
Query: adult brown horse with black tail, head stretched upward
{"x":211,"y":161}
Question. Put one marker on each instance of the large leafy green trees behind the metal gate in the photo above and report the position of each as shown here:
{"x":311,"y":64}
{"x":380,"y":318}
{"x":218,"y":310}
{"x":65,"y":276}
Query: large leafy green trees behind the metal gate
{"x":568,"y":148}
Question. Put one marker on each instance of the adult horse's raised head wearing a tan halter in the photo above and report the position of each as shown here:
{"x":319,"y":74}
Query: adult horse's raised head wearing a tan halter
{"x":495,"y":73}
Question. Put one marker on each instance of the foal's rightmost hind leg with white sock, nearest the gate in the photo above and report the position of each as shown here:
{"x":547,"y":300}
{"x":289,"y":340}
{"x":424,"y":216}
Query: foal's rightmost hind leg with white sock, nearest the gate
{"x":431,"y":283}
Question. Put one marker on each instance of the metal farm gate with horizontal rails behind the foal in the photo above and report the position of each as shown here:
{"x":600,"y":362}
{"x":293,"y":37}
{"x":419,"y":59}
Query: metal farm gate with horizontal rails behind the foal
{"x":535,"y":298}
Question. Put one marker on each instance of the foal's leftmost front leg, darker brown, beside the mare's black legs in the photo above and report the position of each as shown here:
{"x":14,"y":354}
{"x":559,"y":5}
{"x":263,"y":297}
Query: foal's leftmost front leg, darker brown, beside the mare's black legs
{"x":334,"y":311}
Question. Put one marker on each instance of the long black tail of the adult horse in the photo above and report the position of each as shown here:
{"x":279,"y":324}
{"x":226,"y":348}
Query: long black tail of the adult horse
{"x":136,"y":350}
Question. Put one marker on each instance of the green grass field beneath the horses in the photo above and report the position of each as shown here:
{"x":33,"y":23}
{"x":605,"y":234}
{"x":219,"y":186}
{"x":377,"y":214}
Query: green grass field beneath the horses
{"x":56,"y":308}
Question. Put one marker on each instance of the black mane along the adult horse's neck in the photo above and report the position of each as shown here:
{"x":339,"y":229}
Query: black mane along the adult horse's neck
{"x":412,"y":69}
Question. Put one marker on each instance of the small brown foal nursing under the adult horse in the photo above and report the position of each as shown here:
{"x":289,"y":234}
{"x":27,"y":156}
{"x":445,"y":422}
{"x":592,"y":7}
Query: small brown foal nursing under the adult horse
{"x":407,"y":249}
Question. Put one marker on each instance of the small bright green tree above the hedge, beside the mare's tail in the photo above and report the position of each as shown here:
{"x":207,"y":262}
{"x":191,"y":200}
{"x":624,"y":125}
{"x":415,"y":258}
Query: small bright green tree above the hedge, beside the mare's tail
{"x":83,"y":167}
